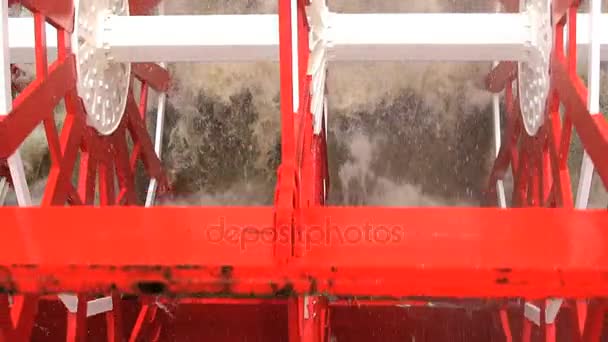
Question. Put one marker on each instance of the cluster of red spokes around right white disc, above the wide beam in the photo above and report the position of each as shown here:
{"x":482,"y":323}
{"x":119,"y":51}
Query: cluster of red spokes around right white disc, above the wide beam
{"x":543,"y":159}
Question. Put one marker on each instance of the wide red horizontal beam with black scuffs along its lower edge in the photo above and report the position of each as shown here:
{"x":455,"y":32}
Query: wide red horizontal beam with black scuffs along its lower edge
{"x":208,"y":252}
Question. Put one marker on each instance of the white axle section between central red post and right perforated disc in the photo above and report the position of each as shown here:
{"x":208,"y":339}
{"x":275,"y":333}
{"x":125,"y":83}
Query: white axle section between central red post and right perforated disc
{"x":437,"y":36}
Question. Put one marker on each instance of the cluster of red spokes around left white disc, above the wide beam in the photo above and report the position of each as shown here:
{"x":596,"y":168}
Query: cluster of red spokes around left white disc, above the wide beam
{"x":100,"y":156}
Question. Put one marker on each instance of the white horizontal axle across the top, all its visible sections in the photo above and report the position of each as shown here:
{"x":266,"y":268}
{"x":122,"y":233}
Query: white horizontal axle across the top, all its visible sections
{"x":439,"y":37}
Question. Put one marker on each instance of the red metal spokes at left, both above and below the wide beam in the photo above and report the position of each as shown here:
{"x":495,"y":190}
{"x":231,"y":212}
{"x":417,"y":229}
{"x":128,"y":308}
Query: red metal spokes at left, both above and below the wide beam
{"x":102,"y":157}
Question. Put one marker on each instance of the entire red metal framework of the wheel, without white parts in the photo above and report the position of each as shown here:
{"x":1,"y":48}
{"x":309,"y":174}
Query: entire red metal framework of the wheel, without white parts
{"x":297,"y":253}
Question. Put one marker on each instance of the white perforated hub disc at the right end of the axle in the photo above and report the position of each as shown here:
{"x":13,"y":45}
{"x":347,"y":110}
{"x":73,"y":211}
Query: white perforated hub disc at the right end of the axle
{"x":533,"y":81}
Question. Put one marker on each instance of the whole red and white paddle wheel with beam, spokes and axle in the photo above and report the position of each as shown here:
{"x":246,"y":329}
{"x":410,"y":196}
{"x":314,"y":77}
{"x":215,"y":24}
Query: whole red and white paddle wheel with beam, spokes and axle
{"x":89,"y":264}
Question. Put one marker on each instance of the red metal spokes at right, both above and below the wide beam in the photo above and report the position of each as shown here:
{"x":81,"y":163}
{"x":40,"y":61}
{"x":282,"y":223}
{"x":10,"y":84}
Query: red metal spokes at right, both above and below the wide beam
{"x":540,"y":164}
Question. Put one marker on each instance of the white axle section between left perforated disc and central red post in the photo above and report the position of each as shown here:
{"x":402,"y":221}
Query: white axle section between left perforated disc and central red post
{"x":210,"y":38}
